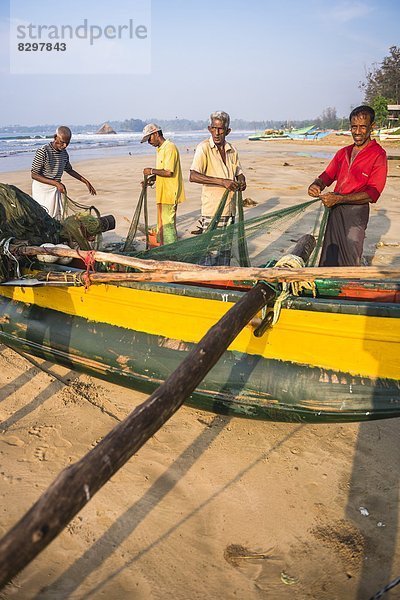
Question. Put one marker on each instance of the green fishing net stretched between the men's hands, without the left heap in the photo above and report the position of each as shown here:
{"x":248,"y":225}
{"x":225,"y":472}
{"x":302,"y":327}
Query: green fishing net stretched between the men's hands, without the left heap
{"x":229,"y":244}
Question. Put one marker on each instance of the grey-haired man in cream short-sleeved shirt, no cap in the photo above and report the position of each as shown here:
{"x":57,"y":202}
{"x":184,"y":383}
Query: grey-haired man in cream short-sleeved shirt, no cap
{"x":216,"y":166}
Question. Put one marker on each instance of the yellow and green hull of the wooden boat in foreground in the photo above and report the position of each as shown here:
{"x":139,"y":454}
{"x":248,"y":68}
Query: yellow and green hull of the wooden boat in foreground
{"x":332,"y":358}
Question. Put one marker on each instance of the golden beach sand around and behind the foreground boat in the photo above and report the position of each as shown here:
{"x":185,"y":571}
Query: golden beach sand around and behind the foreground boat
{"x":211,"y":507}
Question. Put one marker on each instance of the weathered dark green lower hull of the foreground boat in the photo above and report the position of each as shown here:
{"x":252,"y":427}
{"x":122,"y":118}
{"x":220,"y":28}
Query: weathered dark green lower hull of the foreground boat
{"x":240,"y":384}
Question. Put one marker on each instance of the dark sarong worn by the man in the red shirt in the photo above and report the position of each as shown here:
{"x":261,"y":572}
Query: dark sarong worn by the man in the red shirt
{"x":344,"y":235}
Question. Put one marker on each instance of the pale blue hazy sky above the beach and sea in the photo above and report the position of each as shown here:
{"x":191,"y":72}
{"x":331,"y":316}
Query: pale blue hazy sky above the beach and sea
{"x":256,"y":59}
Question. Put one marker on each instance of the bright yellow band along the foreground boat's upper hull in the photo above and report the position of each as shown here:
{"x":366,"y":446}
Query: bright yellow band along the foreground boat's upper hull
{"x":357,"y":344}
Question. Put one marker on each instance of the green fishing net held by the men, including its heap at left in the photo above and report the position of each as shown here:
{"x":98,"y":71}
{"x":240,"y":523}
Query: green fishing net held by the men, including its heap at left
{"x":23,"y":218}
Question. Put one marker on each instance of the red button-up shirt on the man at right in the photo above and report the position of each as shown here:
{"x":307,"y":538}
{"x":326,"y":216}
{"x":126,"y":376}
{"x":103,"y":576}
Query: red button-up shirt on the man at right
{"x":367,"y":173}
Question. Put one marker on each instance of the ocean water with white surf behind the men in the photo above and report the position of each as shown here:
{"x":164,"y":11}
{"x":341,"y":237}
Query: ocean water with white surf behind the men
{"x":17,"y":150}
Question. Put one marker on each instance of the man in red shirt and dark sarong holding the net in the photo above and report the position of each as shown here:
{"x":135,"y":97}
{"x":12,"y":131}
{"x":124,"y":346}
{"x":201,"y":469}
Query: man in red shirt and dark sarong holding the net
{"x":360,"y":173}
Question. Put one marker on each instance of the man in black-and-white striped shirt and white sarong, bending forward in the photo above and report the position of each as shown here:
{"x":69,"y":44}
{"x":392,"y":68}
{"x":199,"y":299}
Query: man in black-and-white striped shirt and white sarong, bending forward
{"x":48,"y":166}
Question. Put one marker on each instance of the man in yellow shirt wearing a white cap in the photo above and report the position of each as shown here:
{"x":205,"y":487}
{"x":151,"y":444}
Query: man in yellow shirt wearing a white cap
{"x":169,"y":183}
